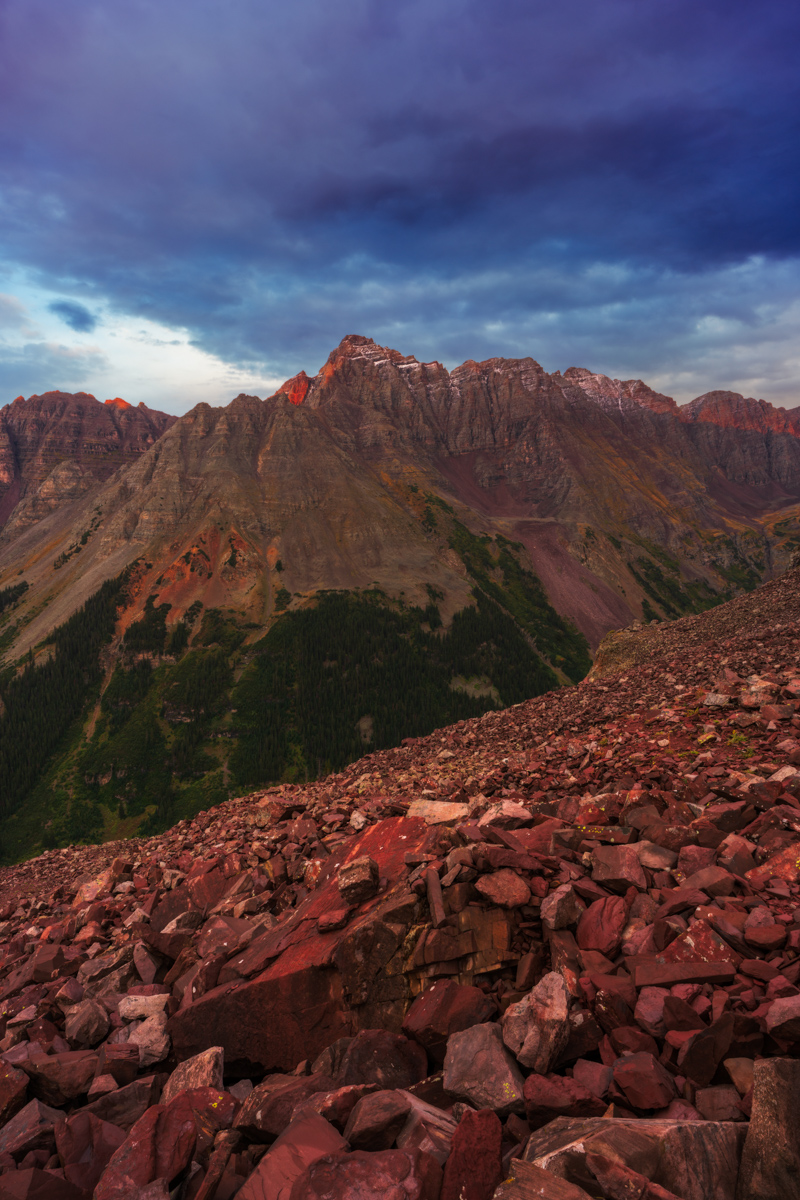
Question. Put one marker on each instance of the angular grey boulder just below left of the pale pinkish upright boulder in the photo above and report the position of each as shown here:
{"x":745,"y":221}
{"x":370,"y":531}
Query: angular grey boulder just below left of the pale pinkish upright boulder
{"x":480,"y":1071}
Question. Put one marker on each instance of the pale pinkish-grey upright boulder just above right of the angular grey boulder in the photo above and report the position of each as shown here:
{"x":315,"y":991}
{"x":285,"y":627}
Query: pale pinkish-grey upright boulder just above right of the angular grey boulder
{"x":537,"y":1029}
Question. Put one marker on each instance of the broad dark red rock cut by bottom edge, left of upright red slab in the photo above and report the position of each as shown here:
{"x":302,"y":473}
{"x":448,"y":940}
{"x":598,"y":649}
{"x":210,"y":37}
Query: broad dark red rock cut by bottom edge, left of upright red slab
{"x":412,"y":1175}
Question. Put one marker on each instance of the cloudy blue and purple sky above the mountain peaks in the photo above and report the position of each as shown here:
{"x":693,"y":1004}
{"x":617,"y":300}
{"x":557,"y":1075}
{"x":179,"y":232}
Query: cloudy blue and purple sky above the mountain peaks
{"x":200,"y":199}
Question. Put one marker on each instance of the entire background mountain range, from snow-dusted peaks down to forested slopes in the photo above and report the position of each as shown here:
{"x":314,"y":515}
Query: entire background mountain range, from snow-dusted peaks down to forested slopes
{"x":195,"y":608}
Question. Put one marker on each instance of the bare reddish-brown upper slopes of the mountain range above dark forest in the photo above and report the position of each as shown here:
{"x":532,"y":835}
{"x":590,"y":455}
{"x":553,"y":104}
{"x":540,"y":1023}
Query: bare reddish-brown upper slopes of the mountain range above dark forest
{"x":624,"y":505}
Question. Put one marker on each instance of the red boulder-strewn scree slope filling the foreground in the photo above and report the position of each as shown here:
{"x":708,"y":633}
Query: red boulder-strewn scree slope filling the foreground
{"x":550,"y":952}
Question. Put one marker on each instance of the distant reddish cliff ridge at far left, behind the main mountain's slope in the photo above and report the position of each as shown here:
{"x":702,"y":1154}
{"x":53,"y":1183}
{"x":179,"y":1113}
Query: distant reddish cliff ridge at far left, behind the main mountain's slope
{"x":57,"y":447}
